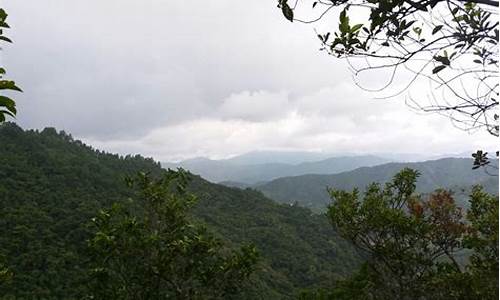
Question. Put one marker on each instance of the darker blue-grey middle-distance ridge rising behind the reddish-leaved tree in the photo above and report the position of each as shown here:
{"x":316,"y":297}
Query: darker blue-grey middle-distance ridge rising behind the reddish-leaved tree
{"x":310,"y":190}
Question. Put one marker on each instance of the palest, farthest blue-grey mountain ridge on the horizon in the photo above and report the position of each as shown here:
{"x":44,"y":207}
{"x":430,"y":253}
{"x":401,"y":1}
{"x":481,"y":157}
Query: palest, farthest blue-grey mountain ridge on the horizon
{"x":236,"y":171}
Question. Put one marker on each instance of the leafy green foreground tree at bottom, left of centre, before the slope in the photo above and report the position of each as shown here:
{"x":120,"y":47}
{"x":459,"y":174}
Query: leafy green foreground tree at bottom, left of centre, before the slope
{"x":151,"y":249}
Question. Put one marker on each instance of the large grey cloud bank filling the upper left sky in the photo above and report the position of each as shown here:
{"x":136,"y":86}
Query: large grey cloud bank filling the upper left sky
{"x":122,"y":68}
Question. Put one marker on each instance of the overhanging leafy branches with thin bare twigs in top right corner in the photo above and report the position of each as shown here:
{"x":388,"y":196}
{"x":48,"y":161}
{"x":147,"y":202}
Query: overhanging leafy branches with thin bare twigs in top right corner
{"x":451,"y":45}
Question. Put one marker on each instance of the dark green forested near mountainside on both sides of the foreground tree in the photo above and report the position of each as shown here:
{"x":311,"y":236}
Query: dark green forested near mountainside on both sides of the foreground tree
{"x":52,"y":185}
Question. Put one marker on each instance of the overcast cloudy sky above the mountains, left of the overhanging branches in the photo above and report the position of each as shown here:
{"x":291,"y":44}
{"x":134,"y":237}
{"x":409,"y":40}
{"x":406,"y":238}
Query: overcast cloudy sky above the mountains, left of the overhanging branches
{"x":180,"y":79}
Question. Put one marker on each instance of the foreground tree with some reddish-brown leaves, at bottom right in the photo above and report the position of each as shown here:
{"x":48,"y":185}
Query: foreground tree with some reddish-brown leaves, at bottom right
{"x":413,"y":246}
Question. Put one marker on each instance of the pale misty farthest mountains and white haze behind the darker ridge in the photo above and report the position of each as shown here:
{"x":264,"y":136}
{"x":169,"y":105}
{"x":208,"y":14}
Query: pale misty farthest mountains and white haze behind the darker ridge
{"x":261,"y":166}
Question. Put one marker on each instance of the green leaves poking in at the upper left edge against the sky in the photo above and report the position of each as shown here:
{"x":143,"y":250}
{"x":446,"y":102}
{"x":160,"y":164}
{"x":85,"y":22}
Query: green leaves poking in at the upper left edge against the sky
{"x":7,"y":105}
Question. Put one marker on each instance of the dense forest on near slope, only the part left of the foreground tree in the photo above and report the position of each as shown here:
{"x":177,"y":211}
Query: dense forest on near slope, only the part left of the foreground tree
{"x":51,"y":187}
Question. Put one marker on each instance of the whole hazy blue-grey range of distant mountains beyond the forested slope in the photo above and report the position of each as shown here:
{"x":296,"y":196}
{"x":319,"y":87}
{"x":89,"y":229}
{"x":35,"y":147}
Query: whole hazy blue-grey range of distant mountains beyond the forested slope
{"x":302,"y":177}
